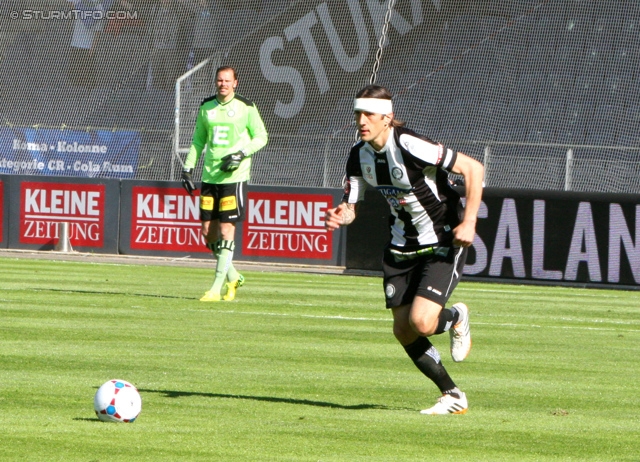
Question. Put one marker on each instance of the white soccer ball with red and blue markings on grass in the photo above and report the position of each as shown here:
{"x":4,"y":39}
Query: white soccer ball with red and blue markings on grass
{"x":117,"y":401}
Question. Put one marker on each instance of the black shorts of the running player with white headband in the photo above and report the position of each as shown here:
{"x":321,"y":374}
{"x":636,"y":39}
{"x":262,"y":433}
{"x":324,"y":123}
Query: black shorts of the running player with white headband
{"x":432,"y":277}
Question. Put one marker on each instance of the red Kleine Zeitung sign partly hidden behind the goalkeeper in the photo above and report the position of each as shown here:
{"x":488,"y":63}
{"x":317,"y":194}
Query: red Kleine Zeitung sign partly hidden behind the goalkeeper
{"x":166,"y":219}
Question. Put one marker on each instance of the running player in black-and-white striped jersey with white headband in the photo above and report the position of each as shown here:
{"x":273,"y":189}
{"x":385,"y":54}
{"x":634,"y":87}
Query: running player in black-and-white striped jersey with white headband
{"x":430,"y":233}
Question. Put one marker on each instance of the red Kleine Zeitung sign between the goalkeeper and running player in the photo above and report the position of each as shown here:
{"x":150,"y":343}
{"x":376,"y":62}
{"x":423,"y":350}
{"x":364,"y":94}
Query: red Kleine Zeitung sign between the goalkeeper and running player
{"x":287,"y":225}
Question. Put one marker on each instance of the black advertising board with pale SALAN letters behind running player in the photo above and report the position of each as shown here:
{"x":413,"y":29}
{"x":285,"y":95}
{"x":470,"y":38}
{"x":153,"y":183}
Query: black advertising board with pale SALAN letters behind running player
{"x":549,"y":237}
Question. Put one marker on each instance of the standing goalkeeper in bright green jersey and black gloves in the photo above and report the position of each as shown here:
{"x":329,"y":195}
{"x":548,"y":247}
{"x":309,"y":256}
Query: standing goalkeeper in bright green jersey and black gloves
{"x":229,"y":130}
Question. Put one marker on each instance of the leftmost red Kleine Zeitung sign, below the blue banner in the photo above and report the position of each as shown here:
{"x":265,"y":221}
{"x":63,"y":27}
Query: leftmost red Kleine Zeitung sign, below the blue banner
{"x":44,"y":205}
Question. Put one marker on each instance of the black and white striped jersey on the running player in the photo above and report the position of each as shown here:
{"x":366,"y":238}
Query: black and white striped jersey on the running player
{"x":411,"y":172}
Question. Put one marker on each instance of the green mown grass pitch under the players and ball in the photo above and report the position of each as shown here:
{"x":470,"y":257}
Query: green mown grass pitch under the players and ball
{"x":304,"y":367}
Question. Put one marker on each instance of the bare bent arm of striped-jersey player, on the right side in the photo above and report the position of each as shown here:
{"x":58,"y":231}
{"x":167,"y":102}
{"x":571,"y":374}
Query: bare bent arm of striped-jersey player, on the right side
{"x":473,"y":174}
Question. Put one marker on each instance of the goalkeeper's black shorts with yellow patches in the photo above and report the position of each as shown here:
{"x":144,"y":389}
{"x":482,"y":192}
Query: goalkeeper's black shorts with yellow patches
{"x":223,"y":202}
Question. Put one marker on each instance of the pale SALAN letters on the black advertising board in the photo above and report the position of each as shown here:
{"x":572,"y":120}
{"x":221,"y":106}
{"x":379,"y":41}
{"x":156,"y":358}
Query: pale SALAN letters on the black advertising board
{"x":582,"y":245}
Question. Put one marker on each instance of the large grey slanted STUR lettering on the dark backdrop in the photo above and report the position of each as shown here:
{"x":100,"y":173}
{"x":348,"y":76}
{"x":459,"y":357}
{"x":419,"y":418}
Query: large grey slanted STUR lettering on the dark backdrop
{"x":301,"y":30}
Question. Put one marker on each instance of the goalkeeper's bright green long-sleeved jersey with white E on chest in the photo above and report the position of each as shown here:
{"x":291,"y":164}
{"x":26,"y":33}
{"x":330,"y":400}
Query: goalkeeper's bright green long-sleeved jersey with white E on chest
{"x":222,"y":129}
